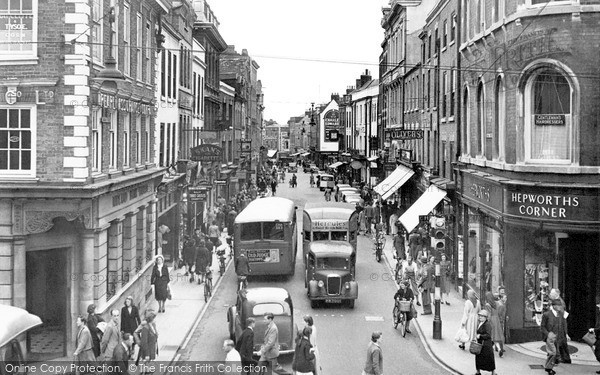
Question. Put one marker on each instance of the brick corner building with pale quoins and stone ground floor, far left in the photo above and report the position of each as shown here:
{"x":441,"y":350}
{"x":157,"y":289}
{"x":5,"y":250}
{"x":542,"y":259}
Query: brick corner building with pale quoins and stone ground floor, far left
{"x":77,"y":167}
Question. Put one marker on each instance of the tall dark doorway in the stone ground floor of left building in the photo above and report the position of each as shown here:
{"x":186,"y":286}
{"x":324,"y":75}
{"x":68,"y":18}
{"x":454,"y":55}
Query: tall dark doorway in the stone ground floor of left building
{"x":46,"y":291}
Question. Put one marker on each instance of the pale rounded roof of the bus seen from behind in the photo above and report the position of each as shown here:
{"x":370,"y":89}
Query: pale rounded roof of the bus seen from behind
{"x":267,"y":209}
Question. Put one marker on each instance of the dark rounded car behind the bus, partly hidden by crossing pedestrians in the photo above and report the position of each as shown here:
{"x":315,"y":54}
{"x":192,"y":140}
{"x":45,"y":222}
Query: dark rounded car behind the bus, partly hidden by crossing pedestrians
{"x":254,"y":303}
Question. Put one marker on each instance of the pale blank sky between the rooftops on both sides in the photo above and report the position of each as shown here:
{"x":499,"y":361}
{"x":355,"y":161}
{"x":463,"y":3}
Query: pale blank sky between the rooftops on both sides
{"x":306,"y":49}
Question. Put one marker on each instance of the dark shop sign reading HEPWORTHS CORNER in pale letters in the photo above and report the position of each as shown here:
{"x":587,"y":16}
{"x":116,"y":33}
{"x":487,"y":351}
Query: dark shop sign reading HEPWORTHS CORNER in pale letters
{"x":552,"y":204}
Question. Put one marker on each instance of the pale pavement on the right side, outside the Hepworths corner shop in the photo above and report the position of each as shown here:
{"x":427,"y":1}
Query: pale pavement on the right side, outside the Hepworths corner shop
{"x":526,"y":358}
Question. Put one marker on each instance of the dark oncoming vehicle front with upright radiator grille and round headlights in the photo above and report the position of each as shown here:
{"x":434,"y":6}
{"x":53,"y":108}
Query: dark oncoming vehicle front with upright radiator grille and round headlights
{"x":330,"y":273}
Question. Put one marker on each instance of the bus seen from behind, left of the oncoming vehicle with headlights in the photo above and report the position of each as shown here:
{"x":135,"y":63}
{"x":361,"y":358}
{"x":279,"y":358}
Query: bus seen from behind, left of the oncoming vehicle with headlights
{"x":265,"y":231}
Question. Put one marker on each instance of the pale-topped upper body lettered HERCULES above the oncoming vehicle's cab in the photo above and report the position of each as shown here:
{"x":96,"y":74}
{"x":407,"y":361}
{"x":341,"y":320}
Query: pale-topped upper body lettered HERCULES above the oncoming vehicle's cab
{"x":324,"y":221}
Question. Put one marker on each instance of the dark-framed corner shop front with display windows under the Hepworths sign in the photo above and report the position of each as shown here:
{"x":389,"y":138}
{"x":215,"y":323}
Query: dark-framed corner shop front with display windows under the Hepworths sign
{"x":529,"y":239}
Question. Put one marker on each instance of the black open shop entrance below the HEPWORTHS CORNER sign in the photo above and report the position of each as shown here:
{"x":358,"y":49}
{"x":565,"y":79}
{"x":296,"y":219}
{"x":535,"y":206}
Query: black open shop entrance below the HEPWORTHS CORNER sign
{"x":579,"y":253}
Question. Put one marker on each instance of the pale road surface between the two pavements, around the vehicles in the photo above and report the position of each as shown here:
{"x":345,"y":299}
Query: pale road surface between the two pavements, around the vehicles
{"x":343,"y":333}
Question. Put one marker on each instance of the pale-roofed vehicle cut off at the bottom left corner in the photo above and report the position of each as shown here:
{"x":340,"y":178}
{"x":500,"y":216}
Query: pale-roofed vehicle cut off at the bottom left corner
{"x":14,"y":325}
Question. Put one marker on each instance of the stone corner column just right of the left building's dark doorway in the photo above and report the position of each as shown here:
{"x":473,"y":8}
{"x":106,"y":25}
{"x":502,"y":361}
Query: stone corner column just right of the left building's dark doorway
{"x":85,"y":272}
